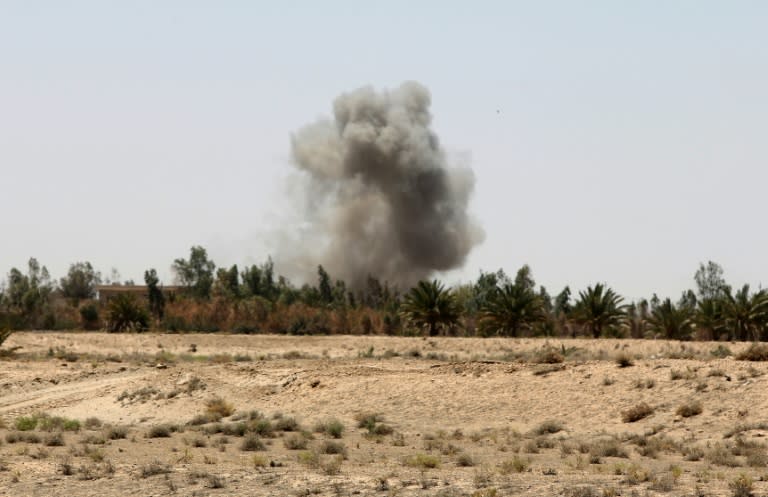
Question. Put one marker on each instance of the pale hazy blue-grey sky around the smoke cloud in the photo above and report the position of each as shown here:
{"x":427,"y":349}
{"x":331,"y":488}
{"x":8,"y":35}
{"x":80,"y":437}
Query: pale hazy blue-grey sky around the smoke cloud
{"x":611,"y":141}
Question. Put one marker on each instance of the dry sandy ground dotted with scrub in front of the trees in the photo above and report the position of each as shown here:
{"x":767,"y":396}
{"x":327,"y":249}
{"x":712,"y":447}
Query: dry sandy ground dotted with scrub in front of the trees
{"x":91,"y":414}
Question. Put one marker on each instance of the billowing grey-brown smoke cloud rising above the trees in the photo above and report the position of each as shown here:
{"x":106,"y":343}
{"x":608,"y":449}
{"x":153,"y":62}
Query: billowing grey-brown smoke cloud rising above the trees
{"x":381,"y":198}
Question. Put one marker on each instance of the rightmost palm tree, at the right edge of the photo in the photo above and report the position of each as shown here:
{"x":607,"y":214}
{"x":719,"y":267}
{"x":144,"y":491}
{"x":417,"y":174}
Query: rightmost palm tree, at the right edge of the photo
{"x":746,"y":314}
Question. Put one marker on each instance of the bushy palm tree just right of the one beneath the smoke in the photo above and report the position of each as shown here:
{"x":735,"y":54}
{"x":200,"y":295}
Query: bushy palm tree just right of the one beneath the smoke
{"x":510,"y":309}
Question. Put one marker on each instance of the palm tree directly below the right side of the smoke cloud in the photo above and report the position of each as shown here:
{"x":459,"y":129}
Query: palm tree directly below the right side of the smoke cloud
{"x":429,"y":305}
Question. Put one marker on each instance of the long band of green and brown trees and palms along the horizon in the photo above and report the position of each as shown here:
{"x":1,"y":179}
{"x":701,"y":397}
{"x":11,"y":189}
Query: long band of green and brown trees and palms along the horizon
{"x":255,"y":299}
